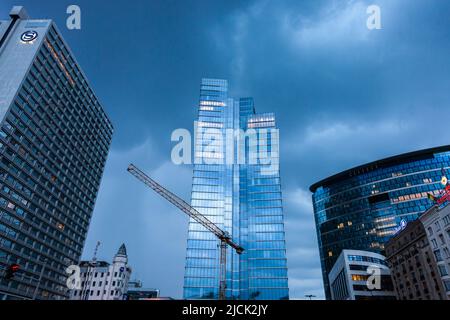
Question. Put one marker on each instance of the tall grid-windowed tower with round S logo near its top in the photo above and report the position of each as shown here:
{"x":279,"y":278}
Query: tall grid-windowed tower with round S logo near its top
{"x":54,"y":141}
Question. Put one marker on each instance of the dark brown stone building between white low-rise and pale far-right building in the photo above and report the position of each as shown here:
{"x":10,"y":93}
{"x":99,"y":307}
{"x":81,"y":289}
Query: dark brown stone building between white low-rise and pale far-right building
{"x":413,"y":267}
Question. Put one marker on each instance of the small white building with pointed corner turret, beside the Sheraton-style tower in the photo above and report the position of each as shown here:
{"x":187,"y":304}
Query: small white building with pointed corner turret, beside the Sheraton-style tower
{"x":103,"y":281}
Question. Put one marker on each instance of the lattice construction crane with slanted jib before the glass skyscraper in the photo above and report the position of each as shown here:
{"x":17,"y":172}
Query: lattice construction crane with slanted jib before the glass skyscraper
{"x":223,"y":236}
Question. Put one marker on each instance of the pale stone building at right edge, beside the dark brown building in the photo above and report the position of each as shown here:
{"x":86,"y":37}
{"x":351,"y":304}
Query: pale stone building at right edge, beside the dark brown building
{"x":436,"y":222}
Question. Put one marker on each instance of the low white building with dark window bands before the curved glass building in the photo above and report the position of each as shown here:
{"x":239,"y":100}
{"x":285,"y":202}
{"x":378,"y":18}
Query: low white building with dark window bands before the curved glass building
{"x":360,"y":275}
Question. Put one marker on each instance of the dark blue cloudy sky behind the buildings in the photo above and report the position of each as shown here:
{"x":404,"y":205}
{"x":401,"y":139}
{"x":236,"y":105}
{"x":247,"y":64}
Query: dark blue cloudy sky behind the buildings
{"x":343,"y":95}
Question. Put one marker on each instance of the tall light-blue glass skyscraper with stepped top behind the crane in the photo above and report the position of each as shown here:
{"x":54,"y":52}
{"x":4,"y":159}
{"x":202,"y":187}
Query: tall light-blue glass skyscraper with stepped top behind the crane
{"x":243,"y":197}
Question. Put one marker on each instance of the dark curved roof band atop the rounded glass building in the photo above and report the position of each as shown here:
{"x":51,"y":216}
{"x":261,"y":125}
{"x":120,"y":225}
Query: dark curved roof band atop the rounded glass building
{"x":383,"y":163}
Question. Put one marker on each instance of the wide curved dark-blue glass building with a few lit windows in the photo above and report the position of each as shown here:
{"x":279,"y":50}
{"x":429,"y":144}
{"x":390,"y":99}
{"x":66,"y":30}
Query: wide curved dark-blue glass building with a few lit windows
{"x":361,"y":208}
